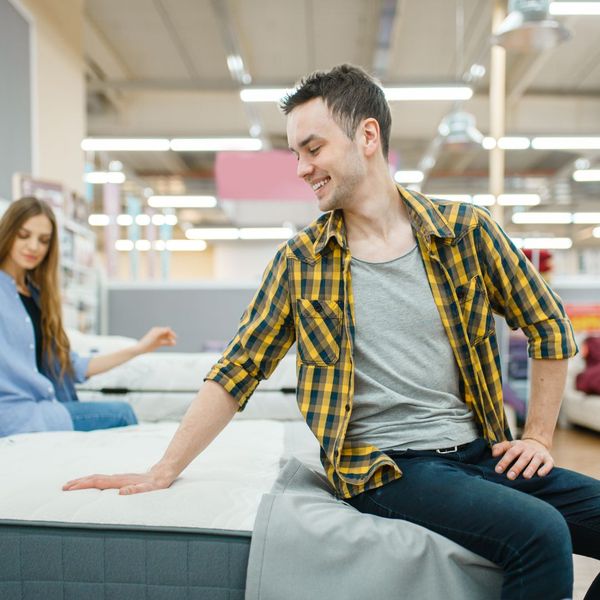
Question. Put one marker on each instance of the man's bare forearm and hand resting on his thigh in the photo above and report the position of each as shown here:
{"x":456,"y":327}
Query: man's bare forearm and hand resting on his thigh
{"x":531,"y":454}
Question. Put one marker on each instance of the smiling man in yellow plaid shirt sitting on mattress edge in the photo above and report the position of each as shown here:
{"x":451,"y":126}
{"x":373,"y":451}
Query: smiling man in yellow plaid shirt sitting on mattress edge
{"x":389,"y":296}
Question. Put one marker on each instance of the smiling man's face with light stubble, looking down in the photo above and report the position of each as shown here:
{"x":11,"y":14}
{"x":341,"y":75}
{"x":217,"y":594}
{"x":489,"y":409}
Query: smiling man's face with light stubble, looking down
{"x":328,"y":160}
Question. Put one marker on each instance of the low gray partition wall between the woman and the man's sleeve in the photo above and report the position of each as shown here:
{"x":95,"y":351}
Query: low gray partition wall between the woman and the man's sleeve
{"x":204,"y":315}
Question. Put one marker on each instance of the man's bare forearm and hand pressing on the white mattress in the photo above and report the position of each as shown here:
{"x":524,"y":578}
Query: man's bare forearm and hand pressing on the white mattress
{"x":206,"y":417}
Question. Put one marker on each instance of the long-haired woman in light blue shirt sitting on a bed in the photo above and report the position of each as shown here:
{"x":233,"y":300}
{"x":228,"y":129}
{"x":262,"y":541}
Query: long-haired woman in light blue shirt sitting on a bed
{"x":37,"y":368}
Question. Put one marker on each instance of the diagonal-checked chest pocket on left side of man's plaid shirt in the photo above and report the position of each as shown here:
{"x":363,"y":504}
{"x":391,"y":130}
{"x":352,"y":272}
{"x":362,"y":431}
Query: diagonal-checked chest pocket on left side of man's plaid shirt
{"x":319,"y":329}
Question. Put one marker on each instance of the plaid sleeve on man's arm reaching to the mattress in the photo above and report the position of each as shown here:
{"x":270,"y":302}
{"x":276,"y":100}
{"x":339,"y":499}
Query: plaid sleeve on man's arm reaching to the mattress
{"x":264,"y":335}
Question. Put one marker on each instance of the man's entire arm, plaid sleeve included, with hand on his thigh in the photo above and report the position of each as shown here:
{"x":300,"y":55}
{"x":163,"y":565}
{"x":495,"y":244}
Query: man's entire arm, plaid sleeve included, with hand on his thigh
{"x":517,"y":291}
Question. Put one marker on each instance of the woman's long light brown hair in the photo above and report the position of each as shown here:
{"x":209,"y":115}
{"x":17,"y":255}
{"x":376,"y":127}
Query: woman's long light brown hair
{"x":55,"y":344}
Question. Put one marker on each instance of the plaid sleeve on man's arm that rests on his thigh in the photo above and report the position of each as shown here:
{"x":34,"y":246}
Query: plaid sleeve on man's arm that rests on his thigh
{"x":517,"y":291}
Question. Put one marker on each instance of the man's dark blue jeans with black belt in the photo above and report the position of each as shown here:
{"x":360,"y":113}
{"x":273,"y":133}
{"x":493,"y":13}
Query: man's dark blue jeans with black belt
{"x":529,"y":527}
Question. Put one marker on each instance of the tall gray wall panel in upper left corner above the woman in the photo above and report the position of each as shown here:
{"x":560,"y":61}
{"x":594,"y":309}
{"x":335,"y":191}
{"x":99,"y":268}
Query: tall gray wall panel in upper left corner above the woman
{"x":15,"y":96}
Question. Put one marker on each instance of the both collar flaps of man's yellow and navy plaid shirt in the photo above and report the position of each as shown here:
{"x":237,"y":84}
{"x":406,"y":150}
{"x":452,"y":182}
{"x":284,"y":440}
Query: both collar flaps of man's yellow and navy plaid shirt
{"x":425,"y":219}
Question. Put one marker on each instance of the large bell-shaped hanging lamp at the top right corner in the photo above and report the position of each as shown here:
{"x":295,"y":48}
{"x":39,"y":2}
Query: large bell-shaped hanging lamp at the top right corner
{"x":529,"y":27}
